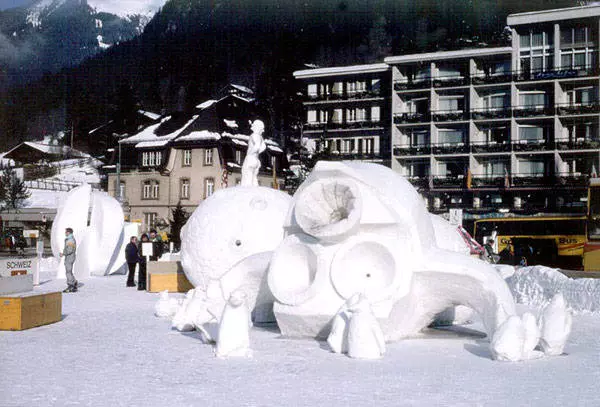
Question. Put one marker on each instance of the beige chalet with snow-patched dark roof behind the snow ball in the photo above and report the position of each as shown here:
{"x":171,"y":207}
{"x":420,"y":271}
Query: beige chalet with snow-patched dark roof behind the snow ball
{"x":186,"y":157}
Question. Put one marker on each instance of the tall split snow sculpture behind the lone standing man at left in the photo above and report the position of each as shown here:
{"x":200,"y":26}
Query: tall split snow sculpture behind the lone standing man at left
{"x":98,"y":242}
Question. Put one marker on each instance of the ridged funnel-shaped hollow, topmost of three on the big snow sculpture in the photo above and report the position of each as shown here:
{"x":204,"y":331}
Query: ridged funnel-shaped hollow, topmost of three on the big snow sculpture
{"x":329,"y":209}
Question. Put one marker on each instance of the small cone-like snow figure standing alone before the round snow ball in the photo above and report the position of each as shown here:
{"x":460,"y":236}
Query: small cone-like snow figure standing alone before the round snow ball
{"x":234,"y":338}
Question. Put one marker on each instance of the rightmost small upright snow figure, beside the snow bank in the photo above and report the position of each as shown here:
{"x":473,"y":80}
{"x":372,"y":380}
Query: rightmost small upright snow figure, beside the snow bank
{"x":555,"y":326}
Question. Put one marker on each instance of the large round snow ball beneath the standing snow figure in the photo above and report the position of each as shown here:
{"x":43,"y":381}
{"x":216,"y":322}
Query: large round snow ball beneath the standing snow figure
{"x":228,"y":242}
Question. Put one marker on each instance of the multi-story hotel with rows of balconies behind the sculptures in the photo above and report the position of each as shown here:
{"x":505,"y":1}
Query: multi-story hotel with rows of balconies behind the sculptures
{"x":511,"y":128}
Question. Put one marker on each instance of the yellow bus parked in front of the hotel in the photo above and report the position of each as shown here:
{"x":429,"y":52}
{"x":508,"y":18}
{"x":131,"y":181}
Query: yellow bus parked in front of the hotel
{"x":553,"y":241}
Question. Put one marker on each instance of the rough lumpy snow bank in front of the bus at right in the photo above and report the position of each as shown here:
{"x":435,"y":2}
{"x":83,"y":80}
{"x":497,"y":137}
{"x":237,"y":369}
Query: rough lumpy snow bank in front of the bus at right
{"x":537,"y":285}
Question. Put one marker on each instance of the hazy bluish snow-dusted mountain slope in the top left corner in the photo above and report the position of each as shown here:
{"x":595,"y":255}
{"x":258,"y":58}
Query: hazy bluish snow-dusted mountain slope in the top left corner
{"x":49,"y":35}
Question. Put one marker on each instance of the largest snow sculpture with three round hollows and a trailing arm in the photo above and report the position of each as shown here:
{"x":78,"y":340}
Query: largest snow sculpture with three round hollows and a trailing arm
{"x":360,"y":227}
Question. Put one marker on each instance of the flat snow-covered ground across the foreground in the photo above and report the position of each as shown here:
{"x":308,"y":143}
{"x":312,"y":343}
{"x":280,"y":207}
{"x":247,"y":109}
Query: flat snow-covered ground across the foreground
{"x":110,"y":350}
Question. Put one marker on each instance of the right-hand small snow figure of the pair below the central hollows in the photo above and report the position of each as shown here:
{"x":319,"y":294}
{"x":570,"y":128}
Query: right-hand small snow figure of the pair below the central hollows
{"x":365,"y":338}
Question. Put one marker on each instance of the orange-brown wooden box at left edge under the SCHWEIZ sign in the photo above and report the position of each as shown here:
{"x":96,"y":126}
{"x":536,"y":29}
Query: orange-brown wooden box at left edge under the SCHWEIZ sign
{"x":28,"y":310}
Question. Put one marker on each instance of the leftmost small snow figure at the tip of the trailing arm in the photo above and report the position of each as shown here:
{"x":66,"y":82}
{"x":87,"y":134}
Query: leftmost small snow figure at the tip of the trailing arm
{"x":508,"y":340}
